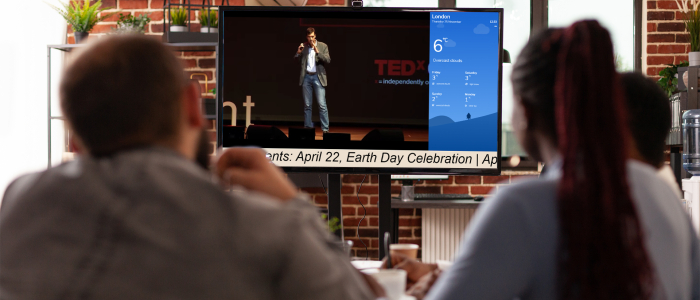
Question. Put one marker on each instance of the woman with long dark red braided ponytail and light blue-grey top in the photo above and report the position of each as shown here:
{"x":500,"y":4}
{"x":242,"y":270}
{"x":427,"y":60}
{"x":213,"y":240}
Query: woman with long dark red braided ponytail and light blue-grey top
{"x":596,"y":225}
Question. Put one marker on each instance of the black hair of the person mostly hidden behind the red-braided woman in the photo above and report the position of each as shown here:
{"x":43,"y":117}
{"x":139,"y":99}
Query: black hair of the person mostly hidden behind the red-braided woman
{"x":649,"y":116}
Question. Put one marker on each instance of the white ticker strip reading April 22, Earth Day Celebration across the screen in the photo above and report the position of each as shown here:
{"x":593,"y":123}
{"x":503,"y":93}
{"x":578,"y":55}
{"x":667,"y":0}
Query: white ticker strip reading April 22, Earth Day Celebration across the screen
{"x":381,"y":158}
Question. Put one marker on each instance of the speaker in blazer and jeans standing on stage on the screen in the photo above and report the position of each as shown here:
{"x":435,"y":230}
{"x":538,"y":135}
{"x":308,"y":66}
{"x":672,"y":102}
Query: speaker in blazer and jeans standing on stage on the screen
{"x":313,"y":76}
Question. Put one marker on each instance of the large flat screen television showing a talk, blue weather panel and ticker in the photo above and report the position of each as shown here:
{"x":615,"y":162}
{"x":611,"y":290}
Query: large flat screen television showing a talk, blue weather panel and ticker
{"x":371,"y":90}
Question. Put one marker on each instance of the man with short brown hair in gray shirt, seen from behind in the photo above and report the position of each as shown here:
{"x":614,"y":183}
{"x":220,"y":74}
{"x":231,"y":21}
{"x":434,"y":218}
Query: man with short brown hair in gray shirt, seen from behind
{"x":134,"y":217}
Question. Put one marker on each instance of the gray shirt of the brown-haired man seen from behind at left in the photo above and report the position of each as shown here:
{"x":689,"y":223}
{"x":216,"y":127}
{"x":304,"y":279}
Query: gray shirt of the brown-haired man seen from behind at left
{"x":149,"y":224}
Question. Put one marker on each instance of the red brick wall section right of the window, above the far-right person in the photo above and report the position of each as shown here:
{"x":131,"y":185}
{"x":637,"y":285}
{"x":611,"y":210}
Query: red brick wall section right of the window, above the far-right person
{"x":667,"y":39}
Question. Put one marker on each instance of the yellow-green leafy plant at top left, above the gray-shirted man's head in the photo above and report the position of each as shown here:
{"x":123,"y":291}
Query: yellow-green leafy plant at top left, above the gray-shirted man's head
{"x":82,"y":17}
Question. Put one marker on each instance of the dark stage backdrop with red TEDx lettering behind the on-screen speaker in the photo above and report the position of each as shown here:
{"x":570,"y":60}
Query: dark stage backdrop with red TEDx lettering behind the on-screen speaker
{"x":366,"y":51}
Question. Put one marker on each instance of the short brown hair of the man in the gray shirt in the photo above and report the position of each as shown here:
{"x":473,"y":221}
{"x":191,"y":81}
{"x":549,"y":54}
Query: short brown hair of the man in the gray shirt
{"x":123,"y":92}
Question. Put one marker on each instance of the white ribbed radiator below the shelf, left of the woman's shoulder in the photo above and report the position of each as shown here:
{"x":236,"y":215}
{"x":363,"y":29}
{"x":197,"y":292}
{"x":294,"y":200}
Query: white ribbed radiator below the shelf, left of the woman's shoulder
{"x":442,"y":232}
